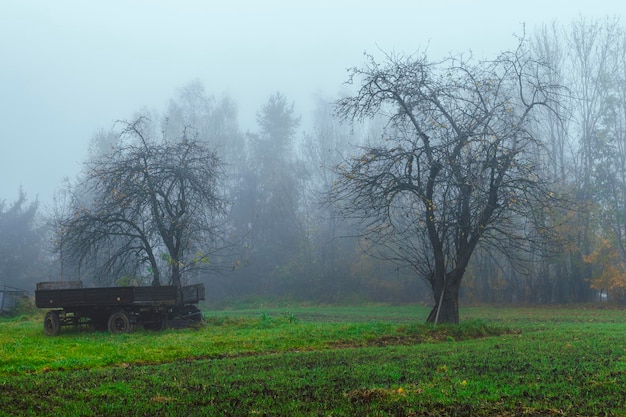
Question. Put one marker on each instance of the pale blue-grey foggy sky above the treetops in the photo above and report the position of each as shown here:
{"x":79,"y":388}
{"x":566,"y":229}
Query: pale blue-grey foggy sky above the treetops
{"x":71,"y":67}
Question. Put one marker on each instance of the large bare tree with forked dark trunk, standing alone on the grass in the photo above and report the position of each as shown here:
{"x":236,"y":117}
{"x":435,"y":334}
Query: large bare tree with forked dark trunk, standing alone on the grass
{"x":457,"y":165}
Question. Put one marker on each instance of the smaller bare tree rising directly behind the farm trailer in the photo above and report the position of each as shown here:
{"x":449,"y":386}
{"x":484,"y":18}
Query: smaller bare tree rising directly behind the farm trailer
{"x":152,"y":203}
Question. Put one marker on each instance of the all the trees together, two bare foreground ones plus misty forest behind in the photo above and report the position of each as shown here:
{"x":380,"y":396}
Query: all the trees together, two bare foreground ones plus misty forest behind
{"x":500,"y":180}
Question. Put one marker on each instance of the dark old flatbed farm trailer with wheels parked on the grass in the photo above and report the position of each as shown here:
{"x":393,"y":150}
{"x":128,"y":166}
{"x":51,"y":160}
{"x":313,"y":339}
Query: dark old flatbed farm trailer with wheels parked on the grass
{"x":118,"y":309}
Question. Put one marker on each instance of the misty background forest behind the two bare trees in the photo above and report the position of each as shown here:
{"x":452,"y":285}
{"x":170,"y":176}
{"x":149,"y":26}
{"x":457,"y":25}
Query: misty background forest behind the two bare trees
{"x":285,"y":242}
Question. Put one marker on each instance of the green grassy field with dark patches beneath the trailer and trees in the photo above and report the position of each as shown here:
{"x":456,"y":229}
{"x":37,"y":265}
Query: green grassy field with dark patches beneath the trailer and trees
{"x":325,"y":361}
